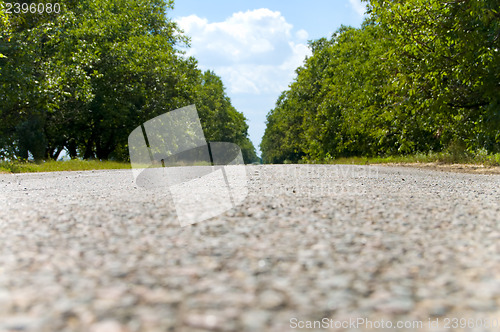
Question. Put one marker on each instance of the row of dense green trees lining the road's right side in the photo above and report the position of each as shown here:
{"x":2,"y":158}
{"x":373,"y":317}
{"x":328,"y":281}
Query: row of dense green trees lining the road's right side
{"x":418,"y":76}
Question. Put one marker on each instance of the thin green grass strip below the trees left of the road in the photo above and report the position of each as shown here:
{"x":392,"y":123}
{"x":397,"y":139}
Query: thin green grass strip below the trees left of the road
{"x":57,"y":166}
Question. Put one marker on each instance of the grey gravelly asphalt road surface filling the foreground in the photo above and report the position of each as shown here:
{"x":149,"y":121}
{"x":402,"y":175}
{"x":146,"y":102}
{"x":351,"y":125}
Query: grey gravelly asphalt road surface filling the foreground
{"x":91,"y":251}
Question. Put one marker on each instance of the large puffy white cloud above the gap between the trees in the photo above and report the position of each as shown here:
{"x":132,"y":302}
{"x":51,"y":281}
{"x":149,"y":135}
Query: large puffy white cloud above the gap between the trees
{"x":254,"y":52}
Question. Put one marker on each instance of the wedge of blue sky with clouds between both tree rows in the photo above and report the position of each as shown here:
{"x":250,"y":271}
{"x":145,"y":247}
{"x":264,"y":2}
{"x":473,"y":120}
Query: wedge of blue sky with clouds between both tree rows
{"x":255,"y":46}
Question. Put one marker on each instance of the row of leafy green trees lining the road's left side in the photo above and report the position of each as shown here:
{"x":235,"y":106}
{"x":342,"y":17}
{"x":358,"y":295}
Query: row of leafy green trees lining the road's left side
{"x":83,"y":78}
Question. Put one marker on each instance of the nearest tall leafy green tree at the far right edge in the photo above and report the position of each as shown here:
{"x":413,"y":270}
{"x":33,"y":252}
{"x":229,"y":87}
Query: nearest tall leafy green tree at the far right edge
{"x":448,"y":59}
